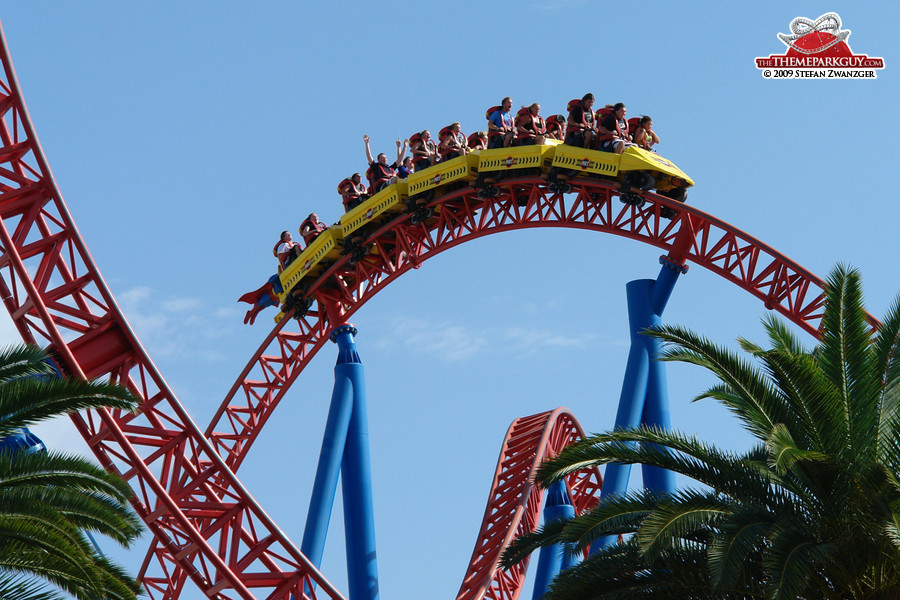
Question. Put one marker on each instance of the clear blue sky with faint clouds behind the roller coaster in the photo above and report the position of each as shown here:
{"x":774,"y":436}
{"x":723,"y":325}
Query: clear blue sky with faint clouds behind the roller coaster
{"x":185,"y":136}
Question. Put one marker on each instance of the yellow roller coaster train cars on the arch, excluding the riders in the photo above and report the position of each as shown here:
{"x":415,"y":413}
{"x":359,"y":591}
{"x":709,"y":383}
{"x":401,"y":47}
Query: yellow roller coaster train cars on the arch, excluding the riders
{"x":482,"y":170}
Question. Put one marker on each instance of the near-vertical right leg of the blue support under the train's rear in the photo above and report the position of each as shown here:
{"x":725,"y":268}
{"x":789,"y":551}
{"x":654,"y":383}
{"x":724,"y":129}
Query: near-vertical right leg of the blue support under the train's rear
{"x":356,"y":486}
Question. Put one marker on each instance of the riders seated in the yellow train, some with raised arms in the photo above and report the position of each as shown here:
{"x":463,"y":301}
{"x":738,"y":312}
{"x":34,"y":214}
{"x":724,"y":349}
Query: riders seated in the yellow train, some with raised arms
{"x":605,"y":129}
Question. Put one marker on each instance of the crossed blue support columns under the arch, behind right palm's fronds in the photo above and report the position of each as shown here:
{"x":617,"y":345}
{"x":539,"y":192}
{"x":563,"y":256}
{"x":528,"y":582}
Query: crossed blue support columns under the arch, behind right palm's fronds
{"x":644,"y":398}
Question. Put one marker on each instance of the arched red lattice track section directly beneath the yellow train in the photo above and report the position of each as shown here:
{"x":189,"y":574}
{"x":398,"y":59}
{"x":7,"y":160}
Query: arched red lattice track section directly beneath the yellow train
{"x":399,"y":246}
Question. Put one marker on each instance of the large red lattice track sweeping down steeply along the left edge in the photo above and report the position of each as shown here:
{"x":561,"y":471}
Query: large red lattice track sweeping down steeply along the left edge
{"x":209,"y":525}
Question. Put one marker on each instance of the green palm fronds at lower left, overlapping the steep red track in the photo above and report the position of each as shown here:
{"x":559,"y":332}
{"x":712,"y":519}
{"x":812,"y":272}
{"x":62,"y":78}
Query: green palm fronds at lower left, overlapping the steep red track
{"x":49,"y":500}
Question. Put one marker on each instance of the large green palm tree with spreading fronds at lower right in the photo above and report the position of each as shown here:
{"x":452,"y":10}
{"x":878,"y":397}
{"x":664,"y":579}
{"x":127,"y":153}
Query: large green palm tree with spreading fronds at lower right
{"x":811,"y":511}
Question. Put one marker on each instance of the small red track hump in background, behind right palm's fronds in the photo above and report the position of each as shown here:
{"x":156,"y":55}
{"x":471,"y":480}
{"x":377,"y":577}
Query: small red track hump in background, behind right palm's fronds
{"x":514,"y":504}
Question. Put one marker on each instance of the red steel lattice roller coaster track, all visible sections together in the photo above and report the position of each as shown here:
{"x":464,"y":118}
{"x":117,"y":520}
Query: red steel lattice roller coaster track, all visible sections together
{"x":209,"y":533}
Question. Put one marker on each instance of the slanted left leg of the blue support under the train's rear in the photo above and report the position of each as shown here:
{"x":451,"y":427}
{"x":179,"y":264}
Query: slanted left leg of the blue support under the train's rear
{"x":333,"y":443}
